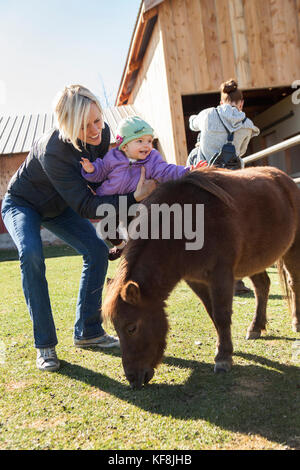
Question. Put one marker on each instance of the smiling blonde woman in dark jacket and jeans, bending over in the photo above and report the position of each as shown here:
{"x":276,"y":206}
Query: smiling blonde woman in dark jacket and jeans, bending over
{"x":48,"y":190}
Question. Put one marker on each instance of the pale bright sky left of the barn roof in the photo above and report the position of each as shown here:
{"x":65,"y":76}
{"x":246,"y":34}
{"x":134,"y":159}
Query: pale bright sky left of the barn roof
{"x":48,"y":44}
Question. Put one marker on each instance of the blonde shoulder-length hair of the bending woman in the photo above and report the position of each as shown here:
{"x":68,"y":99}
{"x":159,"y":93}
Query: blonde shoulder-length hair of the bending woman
{"x":72,"y":107}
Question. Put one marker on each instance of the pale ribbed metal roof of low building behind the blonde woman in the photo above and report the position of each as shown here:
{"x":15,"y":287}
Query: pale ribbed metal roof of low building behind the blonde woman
{"x":17,"y":133}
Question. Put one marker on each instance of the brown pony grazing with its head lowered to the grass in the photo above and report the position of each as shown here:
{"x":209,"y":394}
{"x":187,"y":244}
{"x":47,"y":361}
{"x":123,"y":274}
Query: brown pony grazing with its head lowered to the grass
{"x":251,"y":220}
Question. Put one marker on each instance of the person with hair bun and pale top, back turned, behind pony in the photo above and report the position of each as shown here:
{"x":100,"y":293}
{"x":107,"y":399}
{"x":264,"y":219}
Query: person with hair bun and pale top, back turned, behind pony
{"x":213,"y":124}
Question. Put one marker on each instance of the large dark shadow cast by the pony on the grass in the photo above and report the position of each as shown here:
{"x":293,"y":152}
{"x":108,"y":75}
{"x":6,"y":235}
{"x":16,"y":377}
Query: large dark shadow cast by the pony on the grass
{"x":259,"y":398}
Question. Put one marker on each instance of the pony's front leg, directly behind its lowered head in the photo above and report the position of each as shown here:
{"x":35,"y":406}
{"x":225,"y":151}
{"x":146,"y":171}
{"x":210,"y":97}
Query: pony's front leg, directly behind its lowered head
{"x":221,"y":291}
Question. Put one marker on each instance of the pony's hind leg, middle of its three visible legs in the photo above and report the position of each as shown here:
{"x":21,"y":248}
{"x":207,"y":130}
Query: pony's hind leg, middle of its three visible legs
{"x":261,"y":282}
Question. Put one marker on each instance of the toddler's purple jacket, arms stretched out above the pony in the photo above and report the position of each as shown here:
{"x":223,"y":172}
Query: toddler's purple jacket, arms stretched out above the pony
{"x":121,"y":176}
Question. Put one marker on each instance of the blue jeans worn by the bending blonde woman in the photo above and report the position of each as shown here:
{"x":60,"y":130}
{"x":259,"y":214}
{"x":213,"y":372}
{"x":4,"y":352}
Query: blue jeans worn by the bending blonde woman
{"x":23,"y":224}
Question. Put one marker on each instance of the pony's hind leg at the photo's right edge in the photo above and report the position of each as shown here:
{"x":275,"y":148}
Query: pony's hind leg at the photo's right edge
{"x":292,"y":264}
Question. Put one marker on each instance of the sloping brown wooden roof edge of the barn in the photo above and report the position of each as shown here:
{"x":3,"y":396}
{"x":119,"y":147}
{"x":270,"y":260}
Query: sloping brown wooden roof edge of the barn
{"x":144,"y":25}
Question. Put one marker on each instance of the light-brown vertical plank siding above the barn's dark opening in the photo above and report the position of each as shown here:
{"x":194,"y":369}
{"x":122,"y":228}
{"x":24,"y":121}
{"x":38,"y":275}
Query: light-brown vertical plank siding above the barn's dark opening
{"x":253,"y":40}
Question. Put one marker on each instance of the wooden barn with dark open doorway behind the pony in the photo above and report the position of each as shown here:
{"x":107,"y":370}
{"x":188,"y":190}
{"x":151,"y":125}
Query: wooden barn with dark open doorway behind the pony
{"x":182,"y":50}
